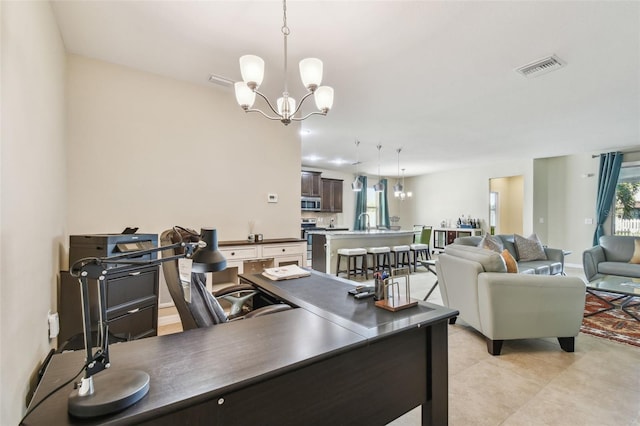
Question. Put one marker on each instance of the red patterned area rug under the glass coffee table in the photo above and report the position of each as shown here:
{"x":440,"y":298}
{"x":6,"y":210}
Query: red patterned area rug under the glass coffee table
{"x":614,"y":324}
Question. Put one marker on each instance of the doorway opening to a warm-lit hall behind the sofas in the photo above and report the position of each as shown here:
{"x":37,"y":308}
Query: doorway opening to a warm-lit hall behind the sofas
{"x":506,"y":195}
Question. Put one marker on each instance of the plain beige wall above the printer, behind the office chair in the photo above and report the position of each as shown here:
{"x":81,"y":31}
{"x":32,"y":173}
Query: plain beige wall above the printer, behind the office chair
{"x":153,"y":152}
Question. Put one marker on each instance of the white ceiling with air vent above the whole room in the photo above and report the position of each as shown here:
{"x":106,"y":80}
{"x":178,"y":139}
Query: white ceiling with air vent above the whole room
{"x":433,"y":77}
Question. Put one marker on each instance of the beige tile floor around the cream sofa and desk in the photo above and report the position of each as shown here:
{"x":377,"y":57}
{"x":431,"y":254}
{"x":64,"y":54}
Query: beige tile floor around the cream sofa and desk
{"x":533,"y":382}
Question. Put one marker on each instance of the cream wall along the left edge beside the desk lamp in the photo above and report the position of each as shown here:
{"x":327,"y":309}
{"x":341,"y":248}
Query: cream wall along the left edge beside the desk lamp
{"x":33,"y":194}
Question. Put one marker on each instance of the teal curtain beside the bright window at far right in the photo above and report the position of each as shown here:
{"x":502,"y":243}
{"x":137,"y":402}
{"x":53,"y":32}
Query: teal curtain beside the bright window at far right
{"x":607,"y":182}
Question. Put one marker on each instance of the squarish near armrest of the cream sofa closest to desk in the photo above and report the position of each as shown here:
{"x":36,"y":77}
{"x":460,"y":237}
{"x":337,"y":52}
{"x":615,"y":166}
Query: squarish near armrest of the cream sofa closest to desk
{"x":520,"y":306}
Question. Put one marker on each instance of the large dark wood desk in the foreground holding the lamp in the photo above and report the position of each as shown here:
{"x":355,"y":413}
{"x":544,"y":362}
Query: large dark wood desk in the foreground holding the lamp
{"x":333,"y":360}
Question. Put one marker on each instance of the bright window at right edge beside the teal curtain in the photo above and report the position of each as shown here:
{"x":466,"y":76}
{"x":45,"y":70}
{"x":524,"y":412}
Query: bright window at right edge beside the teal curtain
{"x":627,"y":201}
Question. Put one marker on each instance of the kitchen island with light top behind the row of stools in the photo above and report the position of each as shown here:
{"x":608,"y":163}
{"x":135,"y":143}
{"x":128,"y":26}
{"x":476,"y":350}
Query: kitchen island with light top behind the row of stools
{"x":324,"y":244}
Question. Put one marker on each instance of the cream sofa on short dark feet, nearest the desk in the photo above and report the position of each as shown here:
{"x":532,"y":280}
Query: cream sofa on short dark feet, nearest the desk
{"x":505,"y":306}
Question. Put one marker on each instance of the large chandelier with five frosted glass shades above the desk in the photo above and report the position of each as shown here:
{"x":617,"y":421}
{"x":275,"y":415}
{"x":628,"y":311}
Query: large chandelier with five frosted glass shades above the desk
{"x":252,"y":70}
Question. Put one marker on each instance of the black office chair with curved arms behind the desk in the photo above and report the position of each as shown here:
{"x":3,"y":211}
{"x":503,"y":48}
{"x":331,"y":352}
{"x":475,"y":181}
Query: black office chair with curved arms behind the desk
{"x":203,"y":309}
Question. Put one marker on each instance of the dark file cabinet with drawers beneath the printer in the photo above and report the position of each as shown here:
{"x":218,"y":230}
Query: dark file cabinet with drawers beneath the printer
{"x":132,"y":306}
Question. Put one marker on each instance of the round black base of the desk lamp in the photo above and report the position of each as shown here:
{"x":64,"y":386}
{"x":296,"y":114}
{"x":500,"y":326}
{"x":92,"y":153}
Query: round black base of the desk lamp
{"x":114,"y":391}
